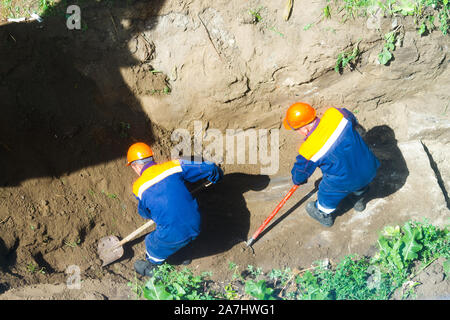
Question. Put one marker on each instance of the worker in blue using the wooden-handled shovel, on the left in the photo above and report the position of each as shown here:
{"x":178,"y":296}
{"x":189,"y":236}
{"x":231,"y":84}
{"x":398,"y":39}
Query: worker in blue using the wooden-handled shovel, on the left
{"x":164,"y":198}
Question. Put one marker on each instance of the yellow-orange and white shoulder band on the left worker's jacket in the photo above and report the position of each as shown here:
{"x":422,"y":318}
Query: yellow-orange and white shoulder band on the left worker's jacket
{"x":155,"y":174}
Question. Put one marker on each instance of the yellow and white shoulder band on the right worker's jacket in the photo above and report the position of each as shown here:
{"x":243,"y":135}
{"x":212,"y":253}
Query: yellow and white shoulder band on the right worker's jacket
{"x":324,"y":136}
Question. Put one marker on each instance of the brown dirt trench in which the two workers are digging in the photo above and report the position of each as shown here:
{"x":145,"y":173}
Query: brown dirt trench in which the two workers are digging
{"x":73,"y":101}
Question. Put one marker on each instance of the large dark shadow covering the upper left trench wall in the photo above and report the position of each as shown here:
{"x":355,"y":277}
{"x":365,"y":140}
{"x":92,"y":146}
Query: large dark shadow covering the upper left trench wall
{"x":64,"y":102}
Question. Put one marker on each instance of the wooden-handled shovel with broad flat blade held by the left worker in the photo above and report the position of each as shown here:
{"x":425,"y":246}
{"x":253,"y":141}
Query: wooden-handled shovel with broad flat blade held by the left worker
{"x":110,"y":248}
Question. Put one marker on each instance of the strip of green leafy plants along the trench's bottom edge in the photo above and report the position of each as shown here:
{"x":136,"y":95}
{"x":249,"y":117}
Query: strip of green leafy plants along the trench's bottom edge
{"x":403,"y":253}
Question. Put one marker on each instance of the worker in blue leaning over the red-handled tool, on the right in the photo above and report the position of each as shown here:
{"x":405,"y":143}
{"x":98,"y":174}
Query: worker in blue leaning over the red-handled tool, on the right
{"x":332,"y":144}
